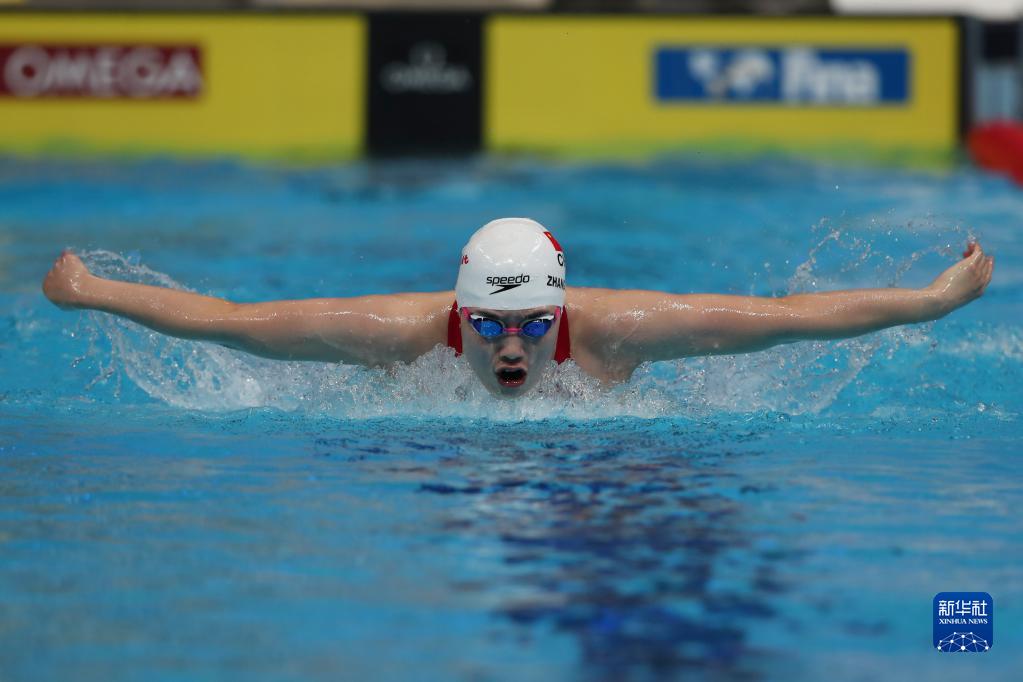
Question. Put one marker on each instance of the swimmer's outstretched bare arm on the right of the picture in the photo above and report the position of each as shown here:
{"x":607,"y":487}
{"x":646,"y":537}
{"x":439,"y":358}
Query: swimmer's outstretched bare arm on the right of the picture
{"x":651,"y":326}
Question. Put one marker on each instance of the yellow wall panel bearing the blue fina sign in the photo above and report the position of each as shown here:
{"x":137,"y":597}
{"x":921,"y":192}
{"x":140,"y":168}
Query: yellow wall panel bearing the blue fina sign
{"x":594,"y":84}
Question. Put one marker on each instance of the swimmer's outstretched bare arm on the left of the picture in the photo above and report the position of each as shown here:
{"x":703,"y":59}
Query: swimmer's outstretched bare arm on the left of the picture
{"x":368,"y":331}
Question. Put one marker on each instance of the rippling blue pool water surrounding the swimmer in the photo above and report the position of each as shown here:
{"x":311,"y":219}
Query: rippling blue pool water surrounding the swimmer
{"x":177,"y":511}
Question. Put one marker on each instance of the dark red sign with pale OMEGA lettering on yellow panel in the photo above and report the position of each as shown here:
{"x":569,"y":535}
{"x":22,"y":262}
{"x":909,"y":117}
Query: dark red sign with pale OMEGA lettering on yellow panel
{"x":37,"y":71}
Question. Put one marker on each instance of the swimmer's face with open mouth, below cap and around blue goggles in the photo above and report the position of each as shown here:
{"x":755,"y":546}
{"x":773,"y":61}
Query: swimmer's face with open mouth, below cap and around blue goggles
{"x":510,"y":365}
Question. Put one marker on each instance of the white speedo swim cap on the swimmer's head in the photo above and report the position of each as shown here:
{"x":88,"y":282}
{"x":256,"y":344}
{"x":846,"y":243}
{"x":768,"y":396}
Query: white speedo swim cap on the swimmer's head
{"x":512,"y":264}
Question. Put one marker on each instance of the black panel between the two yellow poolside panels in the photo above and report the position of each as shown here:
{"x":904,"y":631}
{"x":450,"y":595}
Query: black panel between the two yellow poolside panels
{"x":425,"y":89}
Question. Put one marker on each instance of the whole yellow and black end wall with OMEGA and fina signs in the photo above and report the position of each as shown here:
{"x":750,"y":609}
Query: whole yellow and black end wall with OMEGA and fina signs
{"x":331,"y":85}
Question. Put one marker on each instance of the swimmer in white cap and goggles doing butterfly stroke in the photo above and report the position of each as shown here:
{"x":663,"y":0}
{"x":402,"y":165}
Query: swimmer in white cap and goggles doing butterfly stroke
{"x":510,"y":315}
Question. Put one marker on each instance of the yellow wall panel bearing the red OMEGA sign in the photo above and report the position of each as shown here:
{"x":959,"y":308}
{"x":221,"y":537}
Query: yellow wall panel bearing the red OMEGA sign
{"x":248,"y":85}
